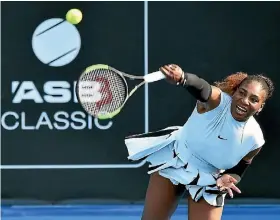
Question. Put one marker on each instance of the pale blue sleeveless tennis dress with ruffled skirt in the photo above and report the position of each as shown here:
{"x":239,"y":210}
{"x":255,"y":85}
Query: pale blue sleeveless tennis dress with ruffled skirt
{"x":196,"y":154}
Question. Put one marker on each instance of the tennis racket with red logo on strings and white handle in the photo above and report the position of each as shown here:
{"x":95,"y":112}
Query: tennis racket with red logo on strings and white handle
{"x":102,"y":90}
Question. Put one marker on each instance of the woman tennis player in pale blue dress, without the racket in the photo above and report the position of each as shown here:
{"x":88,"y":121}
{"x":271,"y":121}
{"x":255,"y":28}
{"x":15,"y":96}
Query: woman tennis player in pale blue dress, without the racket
{"x":210,"y":153}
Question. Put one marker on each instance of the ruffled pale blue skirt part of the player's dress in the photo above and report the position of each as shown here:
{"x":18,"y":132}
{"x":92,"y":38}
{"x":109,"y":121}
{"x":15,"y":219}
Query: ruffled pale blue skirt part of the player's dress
{"x":177,"y":163}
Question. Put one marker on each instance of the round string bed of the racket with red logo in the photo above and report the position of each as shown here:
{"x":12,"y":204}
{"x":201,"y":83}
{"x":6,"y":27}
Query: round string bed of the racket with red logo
{"x":103,"y":91}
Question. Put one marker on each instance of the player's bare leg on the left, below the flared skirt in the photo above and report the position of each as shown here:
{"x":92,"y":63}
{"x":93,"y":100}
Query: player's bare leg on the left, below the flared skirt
{"x":161,"y":198}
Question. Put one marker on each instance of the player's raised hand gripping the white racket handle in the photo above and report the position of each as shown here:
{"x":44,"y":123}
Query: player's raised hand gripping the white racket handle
{"x":174,"y":74}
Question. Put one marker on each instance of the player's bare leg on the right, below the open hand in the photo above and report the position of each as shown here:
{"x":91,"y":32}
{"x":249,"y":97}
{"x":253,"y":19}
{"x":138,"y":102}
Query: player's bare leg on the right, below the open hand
{"x":202,"y":210}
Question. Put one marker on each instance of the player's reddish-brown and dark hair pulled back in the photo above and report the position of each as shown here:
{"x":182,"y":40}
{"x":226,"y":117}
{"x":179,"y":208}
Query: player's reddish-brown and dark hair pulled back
{"x":230,"y":84}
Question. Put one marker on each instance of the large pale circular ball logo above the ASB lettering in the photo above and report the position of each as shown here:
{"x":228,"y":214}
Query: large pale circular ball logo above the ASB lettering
{"x":56,"y":42}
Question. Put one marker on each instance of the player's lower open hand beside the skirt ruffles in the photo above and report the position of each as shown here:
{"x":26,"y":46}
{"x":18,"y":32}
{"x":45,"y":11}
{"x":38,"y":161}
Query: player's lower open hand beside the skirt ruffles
{"x":227,"y":182}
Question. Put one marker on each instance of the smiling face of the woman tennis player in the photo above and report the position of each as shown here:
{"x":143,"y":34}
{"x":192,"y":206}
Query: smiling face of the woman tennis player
{"x":247,"y":100}
